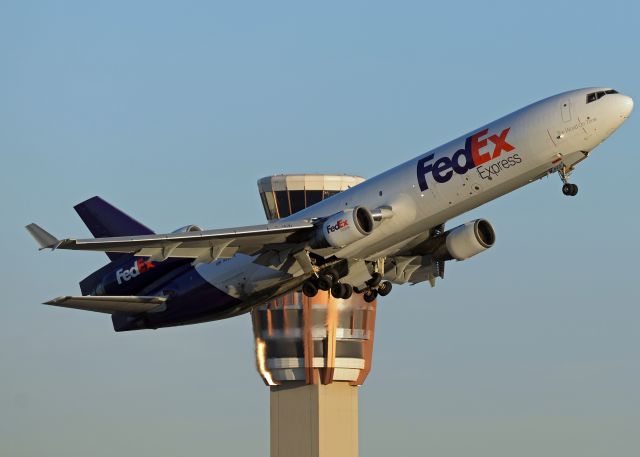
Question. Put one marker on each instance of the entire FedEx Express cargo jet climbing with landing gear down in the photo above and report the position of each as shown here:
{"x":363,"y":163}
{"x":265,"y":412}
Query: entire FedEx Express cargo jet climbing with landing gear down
{"x":388,"y":230}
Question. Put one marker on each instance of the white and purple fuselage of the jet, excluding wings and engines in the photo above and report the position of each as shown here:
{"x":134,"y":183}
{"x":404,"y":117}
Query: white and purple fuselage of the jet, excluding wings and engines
{"x":424,"y":192}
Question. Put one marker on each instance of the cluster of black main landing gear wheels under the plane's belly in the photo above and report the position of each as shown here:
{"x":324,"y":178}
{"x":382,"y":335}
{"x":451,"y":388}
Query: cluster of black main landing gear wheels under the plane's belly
{"x":330,"y":280}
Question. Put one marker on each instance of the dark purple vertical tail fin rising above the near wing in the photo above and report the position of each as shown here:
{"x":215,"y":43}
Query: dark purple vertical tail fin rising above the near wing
{"x":105,"y":220}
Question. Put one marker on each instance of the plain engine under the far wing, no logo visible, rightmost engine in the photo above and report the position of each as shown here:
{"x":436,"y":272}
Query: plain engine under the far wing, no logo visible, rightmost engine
{"x":469,"y":239}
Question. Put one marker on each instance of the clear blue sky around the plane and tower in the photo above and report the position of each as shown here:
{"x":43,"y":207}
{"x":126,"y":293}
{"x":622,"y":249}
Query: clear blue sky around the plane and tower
{"x":173,"y":110}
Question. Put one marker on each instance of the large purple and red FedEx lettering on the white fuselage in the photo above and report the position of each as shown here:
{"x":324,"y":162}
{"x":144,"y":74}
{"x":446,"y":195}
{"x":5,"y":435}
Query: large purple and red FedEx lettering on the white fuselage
{"x":473,"y":155}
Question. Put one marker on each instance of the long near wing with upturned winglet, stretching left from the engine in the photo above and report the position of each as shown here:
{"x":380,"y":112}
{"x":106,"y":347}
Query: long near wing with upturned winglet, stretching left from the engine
{"x":204,"y":246}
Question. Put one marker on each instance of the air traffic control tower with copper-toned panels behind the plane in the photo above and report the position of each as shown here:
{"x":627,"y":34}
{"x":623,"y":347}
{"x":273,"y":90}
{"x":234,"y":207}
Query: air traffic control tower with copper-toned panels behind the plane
{"x":313,"y":353}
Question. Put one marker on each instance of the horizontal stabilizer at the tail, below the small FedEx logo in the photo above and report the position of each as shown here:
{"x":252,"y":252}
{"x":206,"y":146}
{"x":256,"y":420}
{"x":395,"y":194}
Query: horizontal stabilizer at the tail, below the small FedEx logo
{"x":109,"y":304}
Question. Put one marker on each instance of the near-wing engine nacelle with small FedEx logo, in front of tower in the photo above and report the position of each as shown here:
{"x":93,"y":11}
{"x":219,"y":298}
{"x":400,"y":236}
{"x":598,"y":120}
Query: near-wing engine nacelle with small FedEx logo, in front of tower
{"x":344,"y":228}
